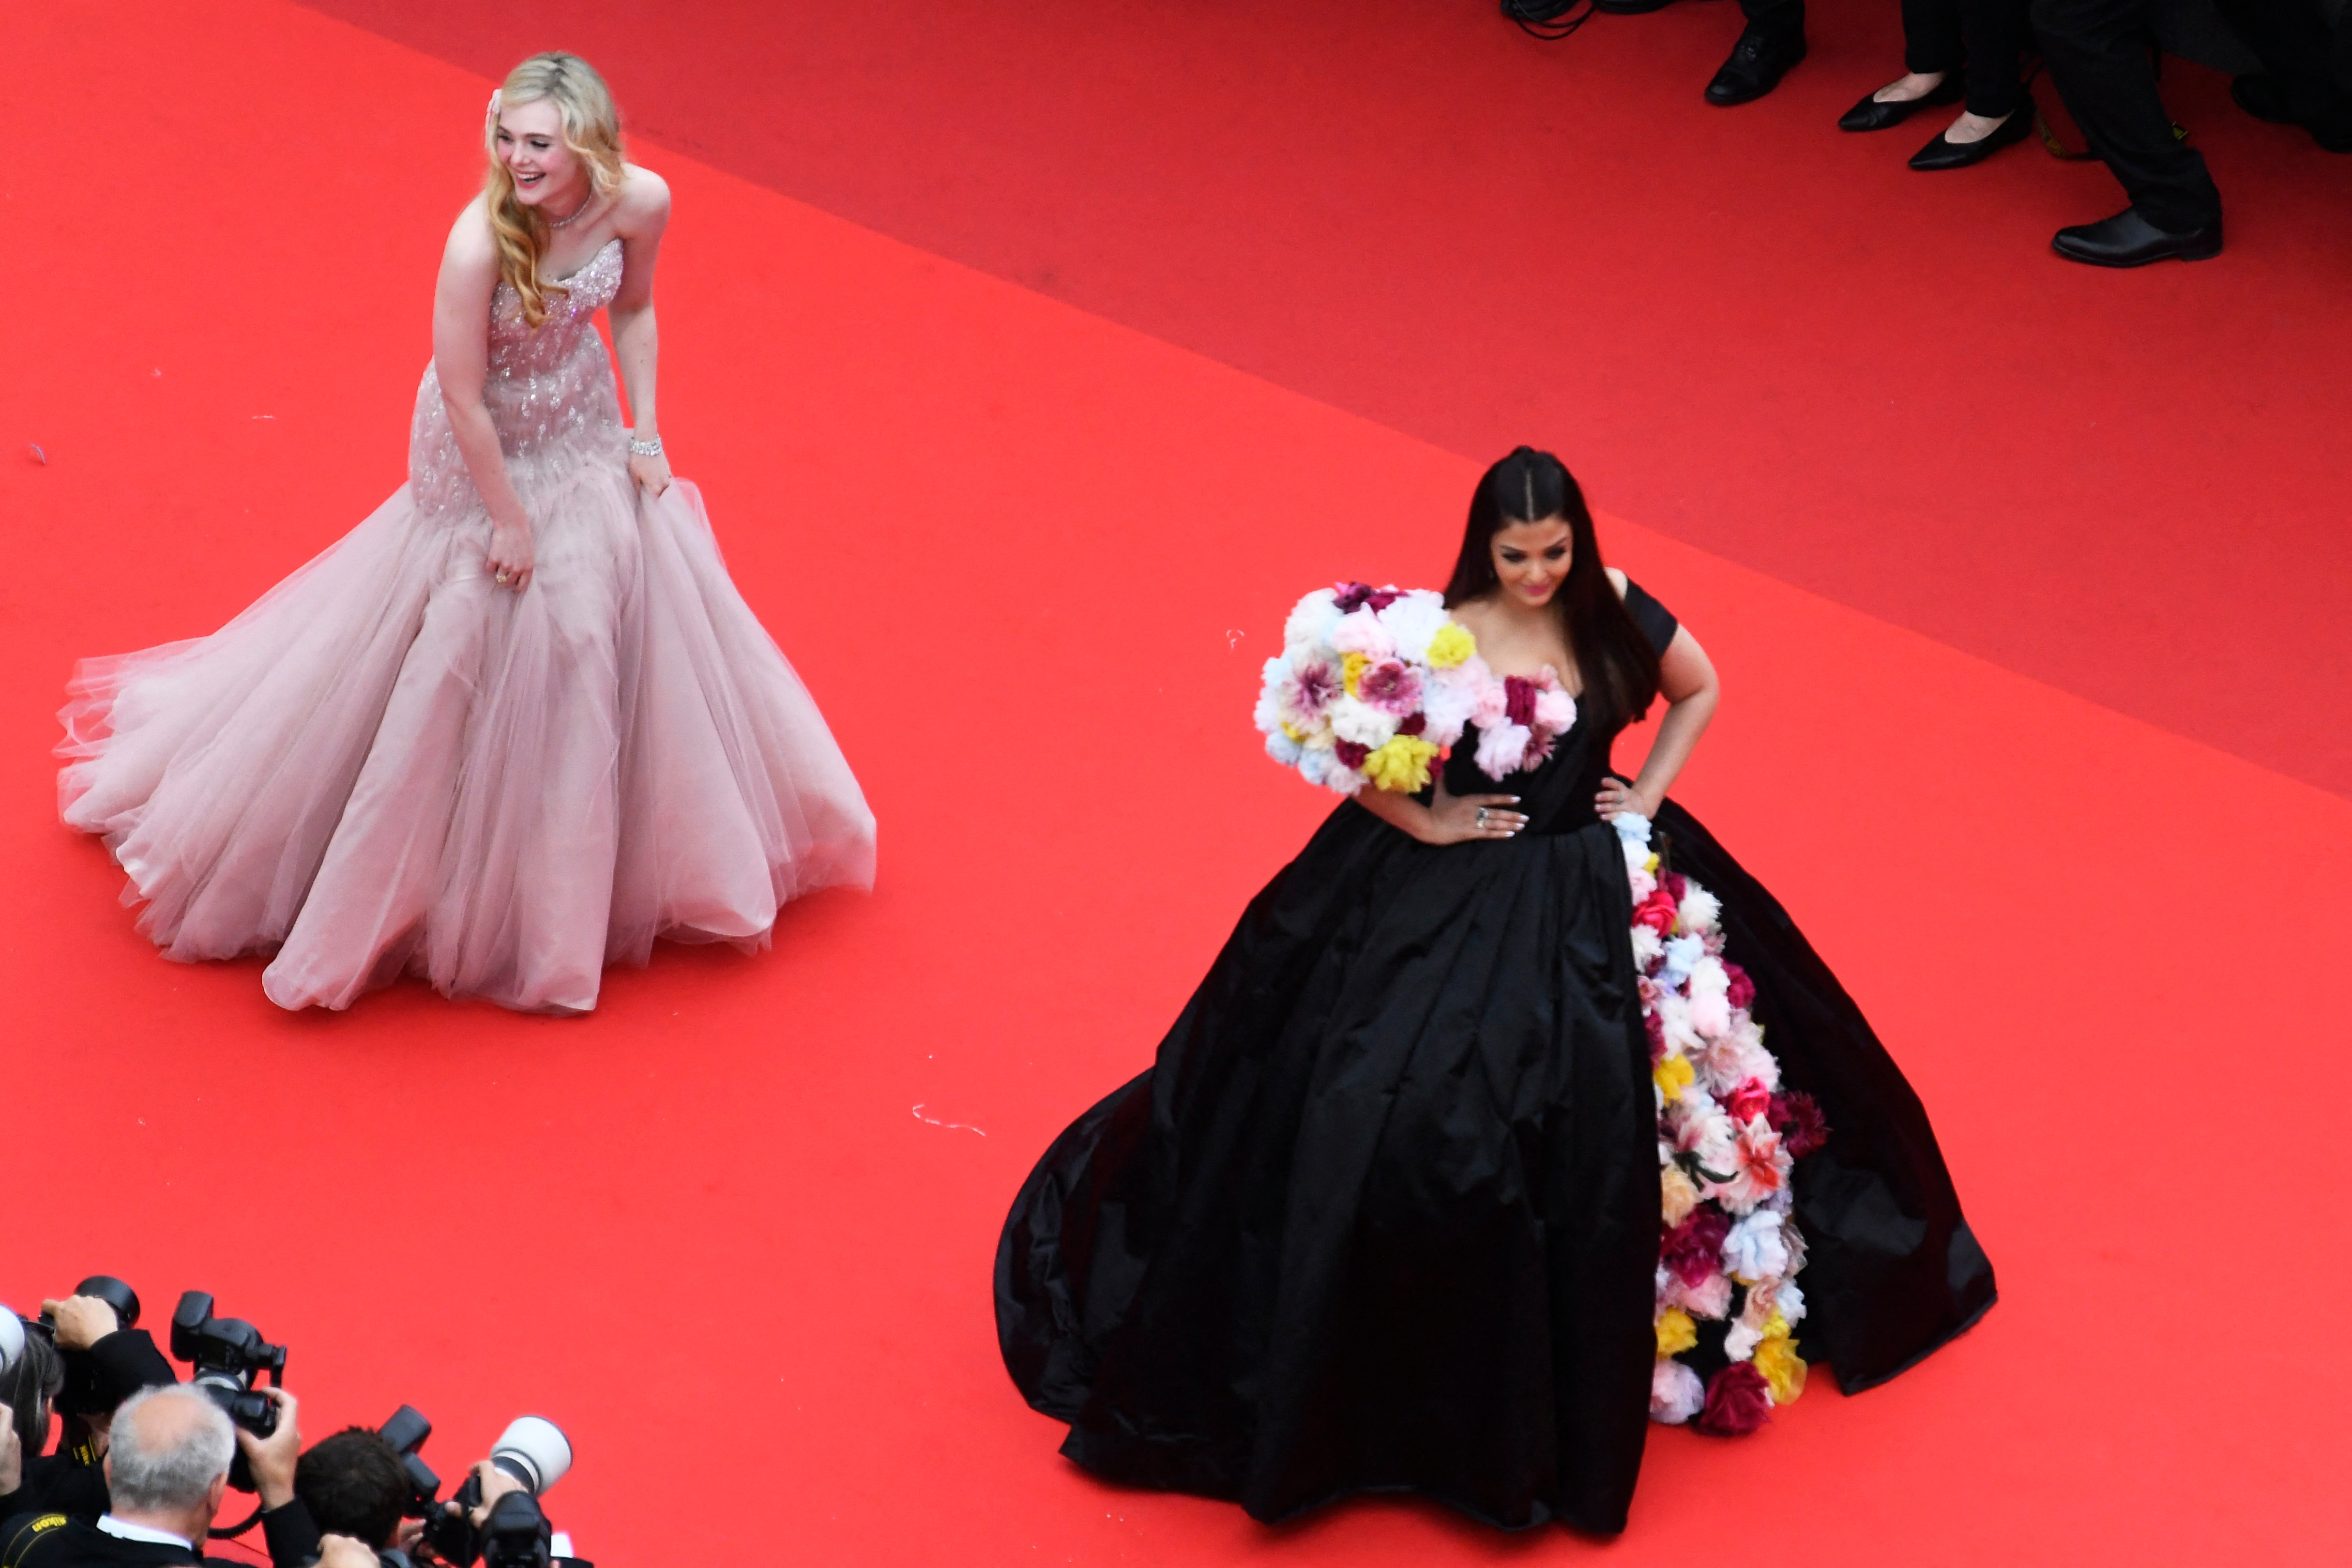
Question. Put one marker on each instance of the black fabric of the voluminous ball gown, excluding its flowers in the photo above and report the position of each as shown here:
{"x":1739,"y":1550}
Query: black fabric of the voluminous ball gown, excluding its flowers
{"x":1387,"y":1209}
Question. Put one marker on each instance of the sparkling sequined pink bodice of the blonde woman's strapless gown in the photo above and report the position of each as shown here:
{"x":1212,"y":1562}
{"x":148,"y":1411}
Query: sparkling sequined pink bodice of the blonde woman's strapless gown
{"x":552,"y":398}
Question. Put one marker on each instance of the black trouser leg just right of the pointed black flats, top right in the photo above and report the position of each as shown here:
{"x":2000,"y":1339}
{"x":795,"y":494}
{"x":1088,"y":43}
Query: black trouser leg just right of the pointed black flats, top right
{"x":2099,"y":55}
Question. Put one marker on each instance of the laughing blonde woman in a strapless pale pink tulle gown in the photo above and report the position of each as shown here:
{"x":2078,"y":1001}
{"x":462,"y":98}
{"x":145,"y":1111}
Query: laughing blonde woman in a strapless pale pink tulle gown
{"x":519,"y":723}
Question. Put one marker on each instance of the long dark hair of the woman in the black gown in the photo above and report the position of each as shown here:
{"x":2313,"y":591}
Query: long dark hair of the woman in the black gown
{"x":1612,"y":655}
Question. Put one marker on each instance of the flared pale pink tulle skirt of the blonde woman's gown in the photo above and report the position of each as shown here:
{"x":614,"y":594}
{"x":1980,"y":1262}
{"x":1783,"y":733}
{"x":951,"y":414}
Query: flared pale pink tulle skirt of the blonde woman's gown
{"x":389,"y":765}
